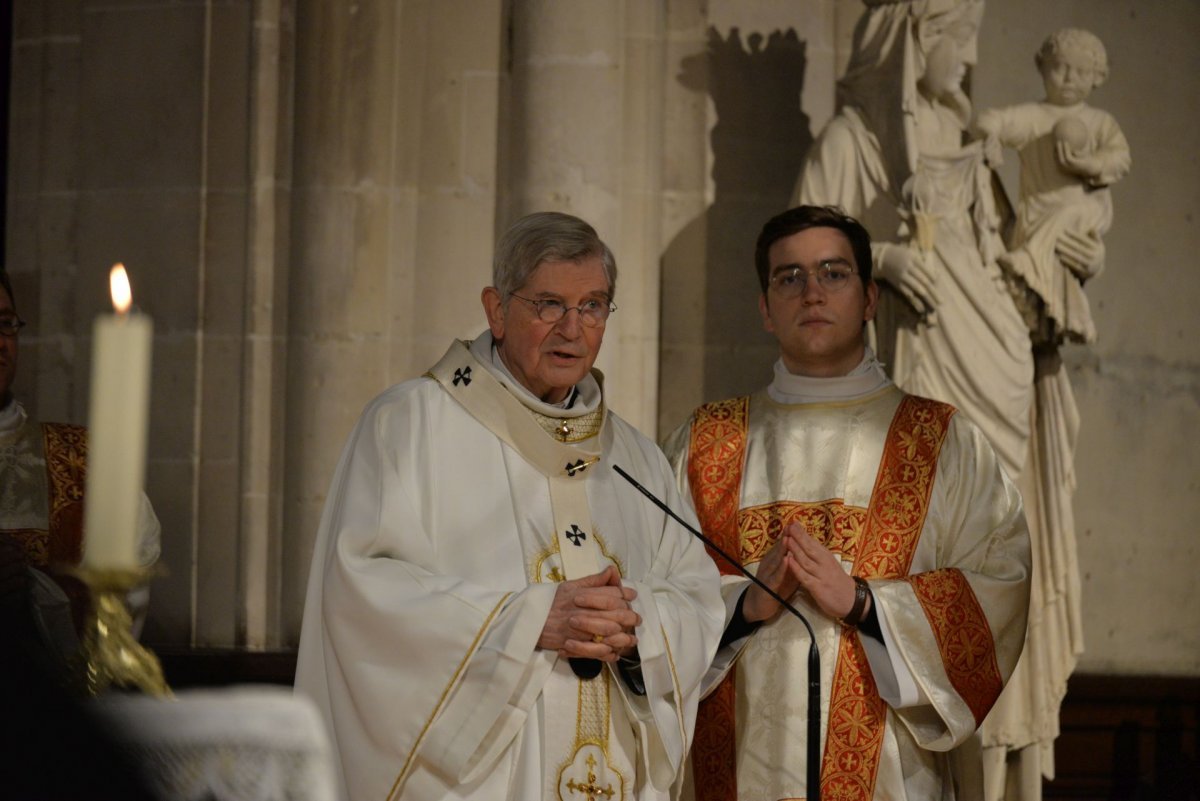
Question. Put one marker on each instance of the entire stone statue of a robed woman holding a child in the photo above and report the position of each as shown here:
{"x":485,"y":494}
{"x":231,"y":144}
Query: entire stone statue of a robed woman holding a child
{"x":977,"y":320}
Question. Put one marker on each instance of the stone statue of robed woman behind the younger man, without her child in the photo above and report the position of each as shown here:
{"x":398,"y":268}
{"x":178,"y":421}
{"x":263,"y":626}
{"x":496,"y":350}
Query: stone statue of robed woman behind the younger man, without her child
{"x":957,"y":323}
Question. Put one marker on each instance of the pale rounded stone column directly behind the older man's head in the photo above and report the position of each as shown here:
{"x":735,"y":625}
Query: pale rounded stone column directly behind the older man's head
{"x":586,"y":133}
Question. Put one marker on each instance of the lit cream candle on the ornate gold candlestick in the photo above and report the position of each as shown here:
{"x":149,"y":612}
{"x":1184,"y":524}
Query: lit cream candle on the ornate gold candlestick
{"x":117,"y":431}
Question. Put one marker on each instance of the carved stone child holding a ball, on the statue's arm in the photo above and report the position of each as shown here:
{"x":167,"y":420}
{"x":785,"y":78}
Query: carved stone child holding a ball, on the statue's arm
{"x":1071,"y":154}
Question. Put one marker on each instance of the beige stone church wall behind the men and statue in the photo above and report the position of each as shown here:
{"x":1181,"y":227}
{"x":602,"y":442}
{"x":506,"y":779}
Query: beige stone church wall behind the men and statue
{"x":307,"y":194}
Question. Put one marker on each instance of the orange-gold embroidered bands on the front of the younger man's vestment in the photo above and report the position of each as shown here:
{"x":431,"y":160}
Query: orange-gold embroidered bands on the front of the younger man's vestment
{"x":883,"y":543}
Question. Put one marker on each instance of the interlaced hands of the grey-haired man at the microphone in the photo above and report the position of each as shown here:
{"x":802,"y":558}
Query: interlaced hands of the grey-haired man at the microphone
{"x":592,"y":619}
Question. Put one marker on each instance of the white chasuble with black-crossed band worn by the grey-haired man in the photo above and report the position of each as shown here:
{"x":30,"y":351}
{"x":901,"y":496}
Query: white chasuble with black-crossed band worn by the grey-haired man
{"x":460,"y":502}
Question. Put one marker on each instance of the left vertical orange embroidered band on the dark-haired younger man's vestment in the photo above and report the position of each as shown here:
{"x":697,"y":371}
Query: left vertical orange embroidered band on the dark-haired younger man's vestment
{"x":716,"y":460}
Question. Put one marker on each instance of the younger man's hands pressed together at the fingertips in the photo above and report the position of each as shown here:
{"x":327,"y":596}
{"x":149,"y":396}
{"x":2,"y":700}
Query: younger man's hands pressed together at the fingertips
{"x":797,"y":562}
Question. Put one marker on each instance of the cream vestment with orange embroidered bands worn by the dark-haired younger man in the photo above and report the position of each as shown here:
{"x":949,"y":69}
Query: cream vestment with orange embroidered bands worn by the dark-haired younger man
{"x":908,"y":496}
